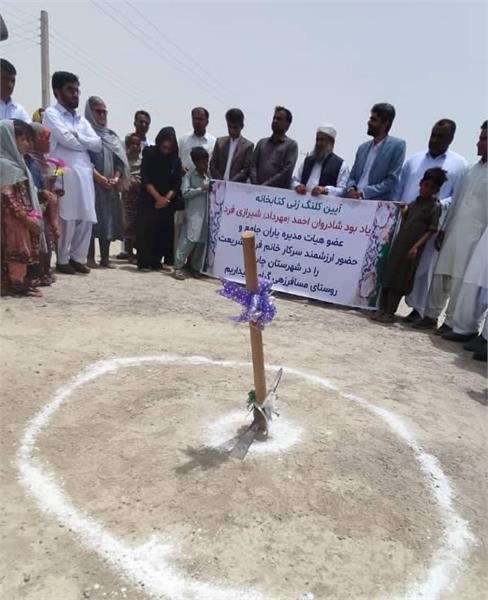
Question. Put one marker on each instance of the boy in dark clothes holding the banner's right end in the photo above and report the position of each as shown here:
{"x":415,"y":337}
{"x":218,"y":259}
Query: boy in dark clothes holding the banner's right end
{"x":419,"y":222}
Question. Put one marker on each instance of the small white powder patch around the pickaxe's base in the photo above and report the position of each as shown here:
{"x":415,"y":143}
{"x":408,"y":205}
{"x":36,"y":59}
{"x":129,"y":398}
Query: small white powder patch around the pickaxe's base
{"x":283,"y":434}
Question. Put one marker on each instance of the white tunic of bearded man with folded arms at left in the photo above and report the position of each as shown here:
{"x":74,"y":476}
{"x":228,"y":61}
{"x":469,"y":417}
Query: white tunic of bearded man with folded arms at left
{"x":71,"y":138}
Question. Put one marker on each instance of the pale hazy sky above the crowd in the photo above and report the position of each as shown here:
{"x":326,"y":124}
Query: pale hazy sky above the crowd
{"x":326,"y":61}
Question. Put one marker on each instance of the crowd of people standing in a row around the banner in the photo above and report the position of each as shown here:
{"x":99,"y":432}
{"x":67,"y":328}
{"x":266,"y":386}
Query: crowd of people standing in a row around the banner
{"x":68,"y":180}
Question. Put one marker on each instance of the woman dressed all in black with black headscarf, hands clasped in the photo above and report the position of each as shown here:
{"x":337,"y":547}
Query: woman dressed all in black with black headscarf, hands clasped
{"x":161,"y":182}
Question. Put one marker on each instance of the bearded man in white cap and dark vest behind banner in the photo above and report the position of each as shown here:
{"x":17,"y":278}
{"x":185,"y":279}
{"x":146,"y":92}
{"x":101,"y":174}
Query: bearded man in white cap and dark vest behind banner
{"x":322,"y":171}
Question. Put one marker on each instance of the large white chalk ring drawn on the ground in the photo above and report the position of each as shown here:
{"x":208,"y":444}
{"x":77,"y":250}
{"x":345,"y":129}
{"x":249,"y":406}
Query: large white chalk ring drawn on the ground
{"x":150,"y":563}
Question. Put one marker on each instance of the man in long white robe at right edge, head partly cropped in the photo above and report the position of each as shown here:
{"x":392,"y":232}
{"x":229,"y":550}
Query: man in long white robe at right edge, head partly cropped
{"x":465,"y":225}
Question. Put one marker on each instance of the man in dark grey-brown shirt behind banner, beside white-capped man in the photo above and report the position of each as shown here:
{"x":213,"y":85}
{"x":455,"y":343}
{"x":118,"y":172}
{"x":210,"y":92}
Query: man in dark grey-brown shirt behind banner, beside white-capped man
{"x":274,"y":158}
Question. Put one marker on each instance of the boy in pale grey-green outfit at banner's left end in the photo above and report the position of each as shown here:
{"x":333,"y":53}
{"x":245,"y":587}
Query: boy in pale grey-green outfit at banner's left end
{"x":194,"y":233}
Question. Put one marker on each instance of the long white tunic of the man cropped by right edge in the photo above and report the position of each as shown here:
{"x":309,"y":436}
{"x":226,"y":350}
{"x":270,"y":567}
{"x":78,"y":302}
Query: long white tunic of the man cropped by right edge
{"x":466,"y":222}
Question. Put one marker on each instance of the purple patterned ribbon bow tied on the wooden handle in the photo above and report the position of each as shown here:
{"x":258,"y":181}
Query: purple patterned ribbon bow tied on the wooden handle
{"x":259,"y":308}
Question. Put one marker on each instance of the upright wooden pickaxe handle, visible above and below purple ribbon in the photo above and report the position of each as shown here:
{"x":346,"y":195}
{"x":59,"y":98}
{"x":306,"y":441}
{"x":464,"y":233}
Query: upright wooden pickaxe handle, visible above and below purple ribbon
{"x":250,"y":268}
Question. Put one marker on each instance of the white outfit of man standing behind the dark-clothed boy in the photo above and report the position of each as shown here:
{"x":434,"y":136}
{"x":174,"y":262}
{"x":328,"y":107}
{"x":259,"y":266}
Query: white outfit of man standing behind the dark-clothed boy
{"x":407,"y":191}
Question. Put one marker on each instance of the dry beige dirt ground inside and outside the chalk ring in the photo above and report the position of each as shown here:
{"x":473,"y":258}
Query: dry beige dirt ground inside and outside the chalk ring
{"x":344,"y":513}
